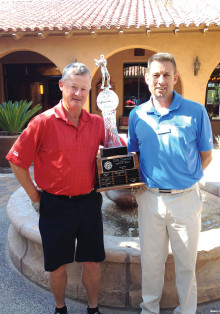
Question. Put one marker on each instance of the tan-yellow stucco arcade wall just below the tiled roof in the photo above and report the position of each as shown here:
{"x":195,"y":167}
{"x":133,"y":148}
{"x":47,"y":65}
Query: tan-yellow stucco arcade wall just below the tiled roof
{"x":185,"y":46}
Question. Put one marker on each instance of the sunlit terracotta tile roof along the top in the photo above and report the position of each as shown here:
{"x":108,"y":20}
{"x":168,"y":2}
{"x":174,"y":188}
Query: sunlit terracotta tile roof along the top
{"x":40,"y":15}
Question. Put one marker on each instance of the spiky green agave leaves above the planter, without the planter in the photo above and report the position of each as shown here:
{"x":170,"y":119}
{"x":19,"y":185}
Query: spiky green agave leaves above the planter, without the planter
{"x":14,"y":116}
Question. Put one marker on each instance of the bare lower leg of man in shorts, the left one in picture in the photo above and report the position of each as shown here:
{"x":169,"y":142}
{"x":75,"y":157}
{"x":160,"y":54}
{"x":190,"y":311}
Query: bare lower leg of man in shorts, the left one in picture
{"x":58,"y":282}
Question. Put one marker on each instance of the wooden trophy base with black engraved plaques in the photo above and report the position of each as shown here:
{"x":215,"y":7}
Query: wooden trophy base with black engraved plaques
{"x":118,"y":172}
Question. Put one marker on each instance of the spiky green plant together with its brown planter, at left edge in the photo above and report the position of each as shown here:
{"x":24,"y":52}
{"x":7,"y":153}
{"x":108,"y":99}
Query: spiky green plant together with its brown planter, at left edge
{"x":13,"y":118}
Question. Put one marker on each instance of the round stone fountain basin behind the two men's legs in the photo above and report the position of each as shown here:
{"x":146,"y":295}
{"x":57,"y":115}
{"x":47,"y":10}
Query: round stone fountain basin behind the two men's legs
{"x":121,"y":270}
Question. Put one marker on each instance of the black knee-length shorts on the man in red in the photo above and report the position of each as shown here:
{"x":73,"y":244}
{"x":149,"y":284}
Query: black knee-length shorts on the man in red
{"x":64,"y":220}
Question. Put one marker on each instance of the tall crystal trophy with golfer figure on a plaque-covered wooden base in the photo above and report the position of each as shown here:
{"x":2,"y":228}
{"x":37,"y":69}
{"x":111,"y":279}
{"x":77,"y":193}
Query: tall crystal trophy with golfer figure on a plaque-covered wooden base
{"x":117,"y":169}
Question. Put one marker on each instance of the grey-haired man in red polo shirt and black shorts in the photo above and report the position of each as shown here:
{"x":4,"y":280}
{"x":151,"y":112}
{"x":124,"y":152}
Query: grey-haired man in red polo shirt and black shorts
{"x":63,"y":143}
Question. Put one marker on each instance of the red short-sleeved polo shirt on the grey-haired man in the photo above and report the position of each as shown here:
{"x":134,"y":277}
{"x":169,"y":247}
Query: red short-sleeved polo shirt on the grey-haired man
{"x":64,"y":156}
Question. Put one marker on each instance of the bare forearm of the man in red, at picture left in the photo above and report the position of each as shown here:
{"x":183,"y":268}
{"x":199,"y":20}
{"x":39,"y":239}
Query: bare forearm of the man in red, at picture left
{"x":24,"y":178}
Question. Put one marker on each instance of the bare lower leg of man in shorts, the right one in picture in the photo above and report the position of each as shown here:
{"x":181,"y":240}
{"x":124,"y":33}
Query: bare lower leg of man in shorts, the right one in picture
{"x":91,"y":282}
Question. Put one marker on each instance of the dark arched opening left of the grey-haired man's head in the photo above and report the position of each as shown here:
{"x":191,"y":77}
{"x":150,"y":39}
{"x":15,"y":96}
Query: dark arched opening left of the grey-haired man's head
{"x":29,"y":75}
